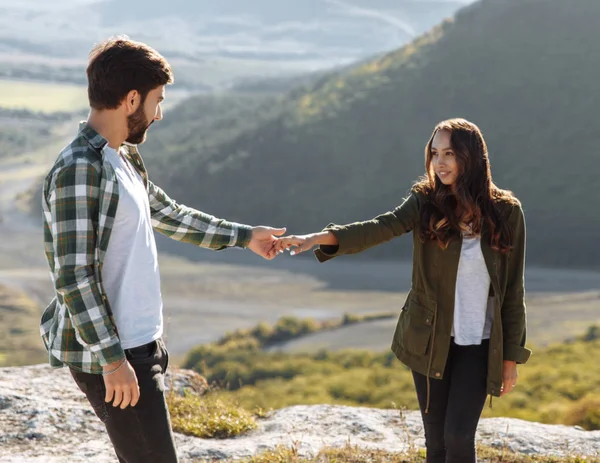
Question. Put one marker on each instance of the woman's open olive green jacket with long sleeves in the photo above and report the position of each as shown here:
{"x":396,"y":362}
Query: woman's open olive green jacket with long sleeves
{"x":423,"y":334}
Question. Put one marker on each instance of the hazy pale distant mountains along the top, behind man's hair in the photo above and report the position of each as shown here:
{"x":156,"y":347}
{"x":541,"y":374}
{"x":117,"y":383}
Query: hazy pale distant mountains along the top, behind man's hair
{"x":211,"y":43}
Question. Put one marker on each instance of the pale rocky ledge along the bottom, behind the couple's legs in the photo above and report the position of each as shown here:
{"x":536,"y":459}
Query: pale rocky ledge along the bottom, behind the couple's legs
{"x":44,"y":418}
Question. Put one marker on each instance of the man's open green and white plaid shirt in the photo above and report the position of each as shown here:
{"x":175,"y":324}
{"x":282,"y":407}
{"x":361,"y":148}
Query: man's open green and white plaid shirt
{"x":80,"y":199}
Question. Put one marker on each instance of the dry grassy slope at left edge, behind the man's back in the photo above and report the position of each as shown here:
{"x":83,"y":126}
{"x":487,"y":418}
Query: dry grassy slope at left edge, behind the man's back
{"x":20,"y":342}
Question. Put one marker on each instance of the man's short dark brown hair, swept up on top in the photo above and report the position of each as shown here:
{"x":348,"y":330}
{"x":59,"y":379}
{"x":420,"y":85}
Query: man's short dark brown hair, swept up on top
{"x":119,"y":65}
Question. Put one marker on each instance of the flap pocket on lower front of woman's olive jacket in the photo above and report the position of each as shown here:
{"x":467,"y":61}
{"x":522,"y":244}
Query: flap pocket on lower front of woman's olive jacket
{"x":415,"y":327}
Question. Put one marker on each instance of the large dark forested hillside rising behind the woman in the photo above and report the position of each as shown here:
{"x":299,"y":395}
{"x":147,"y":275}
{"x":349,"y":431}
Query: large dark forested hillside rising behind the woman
{"x":351,"y":145}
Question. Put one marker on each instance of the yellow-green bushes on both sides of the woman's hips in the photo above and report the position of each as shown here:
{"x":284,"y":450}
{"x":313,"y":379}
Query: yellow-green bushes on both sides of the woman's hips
{"x":558,"y":385}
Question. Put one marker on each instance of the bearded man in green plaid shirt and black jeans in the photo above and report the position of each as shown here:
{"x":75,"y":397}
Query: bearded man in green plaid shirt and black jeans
{"x":100,"y":208}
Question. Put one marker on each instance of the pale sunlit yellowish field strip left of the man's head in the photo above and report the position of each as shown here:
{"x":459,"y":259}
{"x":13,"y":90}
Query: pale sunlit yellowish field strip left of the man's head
{"x":42,"y":97}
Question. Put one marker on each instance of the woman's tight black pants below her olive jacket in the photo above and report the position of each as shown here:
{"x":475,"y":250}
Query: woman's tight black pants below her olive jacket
{"x":456,"y":404}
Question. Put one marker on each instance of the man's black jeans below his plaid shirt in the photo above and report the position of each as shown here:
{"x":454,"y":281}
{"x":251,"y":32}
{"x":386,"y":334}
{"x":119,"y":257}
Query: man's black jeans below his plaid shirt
{"x":140,"y":434}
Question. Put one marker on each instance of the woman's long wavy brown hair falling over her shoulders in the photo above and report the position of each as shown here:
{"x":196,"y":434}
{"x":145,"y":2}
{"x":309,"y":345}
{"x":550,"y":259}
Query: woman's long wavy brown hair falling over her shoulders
{"x":469,"y":203}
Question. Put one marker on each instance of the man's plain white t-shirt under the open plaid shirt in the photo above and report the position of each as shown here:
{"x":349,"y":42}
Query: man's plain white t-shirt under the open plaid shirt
{"x":130,"y":272}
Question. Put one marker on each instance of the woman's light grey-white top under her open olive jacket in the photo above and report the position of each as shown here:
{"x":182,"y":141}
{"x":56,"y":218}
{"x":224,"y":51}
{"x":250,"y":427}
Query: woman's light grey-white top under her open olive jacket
{"x":473,"y":308}
